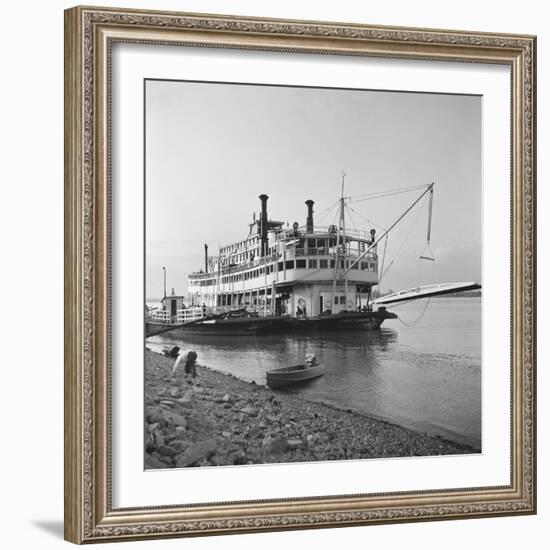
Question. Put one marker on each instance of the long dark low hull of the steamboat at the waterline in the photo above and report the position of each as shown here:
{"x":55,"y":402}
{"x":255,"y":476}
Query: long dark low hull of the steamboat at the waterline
{"x":257,"y":325}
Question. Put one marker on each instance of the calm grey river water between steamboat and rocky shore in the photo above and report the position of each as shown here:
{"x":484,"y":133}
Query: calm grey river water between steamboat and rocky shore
{"x":422,"y":371}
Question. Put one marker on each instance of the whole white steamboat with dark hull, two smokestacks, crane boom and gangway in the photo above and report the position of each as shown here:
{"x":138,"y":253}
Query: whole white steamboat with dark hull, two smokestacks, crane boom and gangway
{"x":298,"y":278}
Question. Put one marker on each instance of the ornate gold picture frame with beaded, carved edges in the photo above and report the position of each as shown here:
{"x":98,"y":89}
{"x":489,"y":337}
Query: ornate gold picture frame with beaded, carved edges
{"x":89,"y":34}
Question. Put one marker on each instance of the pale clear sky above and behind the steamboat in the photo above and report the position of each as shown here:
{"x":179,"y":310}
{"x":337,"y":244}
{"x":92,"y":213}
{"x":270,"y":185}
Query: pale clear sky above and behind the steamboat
{"x":212,"y":148}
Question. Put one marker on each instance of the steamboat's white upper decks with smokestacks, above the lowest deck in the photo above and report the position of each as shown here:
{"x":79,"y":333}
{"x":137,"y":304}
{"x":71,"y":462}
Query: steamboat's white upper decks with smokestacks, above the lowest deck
{"x":272,"y":254}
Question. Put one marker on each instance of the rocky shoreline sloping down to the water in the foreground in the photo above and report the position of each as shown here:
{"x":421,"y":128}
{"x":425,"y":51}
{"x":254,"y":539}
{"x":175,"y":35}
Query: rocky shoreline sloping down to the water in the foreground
{"x":221,"y":420}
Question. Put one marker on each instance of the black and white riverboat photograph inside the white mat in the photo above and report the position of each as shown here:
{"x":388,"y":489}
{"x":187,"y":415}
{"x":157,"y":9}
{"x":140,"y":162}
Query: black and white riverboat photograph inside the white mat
{"x":313,"y":274}
